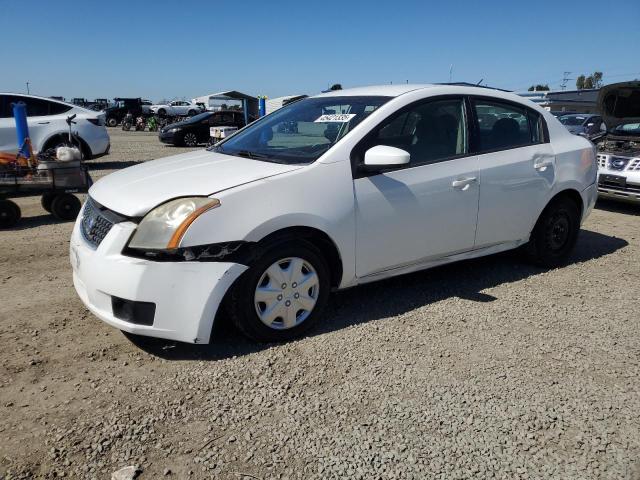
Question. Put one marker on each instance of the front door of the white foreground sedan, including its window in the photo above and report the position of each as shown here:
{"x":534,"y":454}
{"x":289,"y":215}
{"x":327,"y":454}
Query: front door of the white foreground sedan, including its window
{"x":427,"y":209}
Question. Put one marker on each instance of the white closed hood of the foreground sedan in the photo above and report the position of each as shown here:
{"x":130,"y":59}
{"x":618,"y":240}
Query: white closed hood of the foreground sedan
{"x":134,"y":191}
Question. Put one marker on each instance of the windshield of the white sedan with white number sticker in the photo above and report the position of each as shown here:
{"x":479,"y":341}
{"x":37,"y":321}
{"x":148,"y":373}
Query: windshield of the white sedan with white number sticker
{"x":302,"y":131}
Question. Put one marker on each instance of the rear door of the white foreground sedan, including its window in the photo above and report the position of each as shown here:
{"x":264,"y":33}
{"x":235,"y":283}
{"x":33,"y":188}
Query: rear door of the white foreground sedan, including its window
{"x":517,"y":169}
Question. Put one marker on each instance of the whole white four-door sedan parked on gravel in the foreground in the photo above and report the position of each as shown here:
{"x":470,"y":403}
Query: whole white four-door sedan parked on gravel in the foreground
{"x":329,"y":192}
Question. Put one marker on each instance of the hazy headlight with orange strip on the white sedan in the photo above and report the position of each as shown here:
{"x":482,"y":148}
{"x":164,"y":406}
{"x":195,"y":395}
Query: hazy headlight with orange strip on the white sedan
{"x":164,"y":226}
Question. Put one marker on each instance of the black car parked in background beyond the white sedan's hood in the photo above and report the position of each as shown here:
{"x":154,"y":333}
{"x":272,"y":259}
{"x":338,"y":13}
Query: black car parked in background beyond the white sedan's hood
{"x":195,"y":130}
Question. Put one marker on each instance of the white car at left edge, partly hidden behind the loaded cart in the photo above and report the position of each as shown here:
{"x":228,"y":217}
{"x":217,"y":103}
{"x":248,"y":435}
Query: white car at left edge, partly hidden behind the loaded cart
{"x":48,"y":128}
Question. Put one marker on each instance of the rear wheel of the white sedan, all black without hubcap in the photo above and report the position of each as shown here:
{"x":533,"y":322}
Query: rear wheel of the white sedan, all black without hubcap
{"x":555,"y":234}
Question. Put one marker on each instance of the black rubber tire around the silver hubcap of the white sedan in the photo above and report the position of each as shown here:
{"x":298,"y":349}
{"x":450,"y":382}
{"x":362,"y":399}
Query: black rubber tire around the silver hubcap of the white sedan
{"x":243,"y":307}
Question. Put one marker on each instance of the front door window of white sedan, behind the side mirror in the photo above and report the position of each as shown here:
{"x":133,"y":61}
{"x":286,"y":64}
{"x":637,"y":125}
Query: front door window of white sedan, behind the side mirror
{"x":431,"y":131}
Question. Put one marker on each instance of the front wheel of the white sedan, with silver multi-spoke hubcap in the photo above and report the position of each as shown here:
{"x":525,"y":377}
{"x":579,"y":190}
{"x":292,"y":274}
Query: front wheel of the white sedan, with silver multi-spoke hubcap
{"x":282,"y":294}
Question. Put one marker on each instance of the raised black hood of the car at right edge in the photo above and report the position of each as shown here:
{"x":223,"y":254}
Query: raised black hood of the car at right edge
{"x":619,"y":103}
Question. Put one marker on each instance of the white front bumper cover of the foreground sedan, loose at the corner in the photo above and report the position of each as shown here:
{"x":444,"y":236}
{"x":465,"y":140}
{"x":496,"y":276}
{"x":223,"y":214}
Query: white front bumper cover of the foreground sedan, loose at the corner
{"x":186,"y":295}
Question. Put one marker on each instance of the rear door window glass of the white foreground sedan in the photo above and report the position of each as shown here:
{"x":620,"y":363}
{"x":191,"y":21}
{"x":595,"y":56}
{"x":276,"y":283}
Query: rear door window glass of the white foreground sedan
{"x":503,"y":125}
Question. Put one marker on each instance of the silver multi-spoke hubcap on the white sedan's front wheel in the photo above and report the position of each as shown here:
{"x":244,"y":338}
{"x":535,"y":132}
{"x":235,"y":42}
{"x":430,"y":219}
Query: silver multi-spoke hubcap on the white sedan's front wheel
{"x":286,"y":293}
